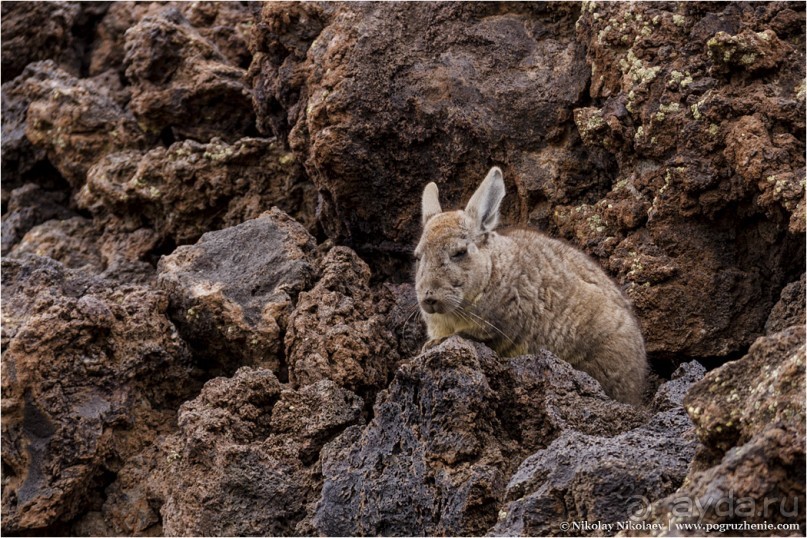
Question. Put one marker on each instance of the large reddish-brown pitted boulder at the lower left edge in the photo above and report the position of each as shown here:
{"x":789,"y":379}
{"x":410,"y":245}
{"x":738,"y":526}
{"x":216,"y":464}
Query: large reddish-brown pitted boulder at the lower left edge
{"x":91,"y":372}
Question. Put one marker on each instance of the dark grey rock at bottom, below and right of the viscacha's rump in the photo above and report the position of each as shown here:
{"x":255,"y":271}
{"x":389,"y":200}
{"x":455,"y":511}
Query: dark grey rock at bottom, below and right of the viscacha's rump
{"x":582,"y":477}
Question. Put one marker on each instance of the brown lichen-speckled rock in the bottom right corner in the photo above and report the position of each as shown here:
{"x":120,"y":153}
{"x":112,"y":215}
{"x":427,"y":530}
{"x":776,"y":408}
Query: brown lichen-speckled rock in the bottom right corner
{"x":750,"y":418}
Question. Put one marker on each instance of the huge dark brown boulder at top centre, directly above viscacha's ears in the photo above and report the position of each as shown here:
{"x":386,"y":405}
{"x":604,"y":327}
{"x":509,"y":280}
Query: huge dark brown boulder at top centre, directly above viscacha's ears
{"x":378,"y":99}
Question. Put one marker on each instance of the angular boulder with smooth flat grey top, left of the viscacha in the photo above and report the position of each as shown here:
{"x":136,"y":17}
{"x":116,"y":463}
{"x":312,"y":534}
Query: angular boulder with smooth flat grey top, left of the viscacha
{"x":232,"y":292}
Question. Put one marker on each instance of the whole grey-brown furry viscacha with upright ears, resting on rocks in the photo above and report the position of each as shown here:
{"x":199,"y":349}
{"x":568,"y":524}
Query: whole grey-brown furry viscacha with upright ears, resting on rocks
{"x":522,"y":291}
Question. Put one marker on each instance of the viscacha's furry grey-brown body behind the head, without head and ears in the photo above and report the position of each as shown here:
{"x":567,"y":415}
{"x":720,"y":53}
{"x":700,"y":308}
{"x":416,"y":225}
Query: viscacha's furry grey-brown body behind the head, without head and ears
{"x":554,"y":296}
